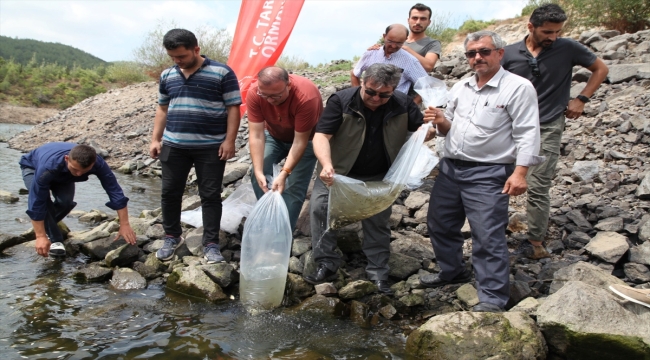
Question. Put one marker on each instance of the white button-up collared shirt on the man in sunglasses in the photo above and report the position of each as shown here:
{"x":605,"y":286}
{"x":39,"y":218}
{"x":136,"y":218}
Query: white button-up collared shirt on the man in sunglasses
{"x":498,"y":123}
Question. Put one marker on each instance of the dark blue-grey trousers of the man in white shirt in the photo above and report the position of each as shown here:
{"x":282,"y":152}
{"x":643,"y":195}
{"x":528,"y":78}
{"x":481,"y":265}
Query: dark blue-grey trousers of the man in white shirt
{"x":475,"y":193}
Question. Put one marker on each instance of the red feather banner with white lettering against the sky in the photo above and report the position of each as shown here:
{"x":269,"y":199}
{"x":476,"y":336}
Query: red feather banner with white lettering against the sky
{"x":263,"y":28}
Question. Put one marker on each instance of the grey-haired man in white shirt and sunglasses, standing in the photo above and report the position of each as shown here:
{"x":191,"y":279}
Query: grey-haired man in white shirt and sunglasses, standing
{"x":491,"y":125}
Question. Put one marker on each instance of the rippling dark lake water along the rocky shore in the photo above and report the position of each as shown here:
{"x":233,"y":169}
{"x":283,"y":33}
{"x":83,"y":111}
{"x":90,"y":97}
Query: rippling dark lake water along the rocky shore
{"x":47,"y":315}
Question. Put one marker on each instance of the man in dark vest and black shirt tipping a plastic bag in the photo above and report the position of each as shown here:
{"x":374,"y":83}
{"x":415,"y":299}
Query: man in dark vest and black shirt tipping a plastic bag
{"x":359,"y":135}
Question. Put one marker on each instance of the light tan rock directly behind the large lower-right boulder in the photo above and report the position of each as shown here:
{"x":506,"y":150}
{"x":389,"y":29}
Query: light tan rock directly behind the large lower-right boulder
{"x":585,"y":272}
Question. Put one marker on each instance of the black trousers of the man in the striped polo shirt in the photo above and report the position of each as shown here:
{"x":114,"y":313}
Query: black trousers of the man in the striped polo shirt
{"x":176,"y":166}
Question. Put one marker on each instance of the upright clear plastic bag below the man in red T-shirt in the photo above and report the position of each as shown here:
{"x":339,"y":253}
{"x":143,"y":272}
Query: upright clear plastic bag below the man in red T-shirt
{"x":265,"y":250}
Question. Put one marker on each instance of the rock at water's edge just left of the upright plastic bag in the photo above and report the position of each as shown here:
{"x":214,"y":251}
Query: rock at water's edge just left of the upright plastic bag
{"x":192,"y":281}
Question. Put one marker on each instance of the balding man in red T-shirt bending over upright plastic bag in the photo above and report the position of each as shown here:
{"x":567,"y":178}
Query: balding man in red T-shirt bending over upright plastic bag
{"x":282,"y":112}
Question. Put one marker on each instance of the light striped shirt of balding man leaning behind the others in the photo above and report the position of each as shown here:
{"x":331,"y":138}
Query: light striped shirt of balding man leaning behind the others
{"x":412,"y":69}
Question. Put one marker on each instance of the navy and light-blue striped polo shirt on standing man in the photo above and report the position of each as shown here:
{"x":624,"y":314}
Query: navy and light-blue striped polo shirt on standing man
{"x":197,"y":116}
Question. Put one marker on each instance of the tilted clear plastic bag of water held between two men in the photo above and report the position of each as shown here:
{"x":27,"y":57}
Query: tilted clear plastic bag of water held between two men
{"x":352,"y":200}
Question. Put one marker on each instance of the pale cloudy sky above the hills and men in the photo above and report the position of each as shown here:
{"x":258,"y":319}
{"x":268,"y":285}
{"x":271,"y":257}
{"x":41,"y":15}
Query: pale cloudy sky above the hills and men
{"x":326,"y":30}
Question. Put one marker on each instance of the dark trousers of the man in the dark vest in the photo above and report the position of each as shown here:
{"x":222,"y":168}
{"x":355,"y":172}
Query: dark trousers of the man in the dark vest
{"x":376,"y":234}
